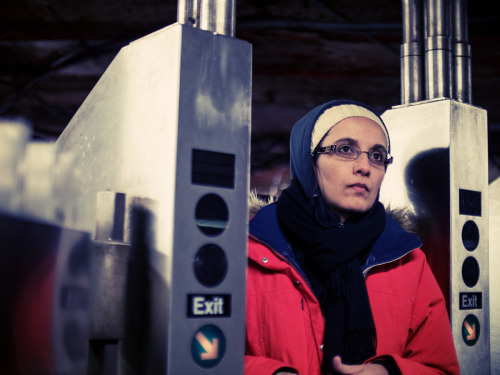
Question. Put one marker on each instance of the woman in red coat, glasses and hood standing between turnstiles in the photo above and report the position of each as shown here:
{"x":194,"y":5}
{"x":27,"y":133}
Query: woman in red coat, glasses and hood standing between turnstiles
{"x":335,"y":285}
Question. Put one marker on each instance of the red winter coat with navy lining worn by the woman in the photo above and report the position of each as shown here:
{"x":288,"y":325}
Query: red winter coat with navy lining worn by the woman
{"x":285,"y":325}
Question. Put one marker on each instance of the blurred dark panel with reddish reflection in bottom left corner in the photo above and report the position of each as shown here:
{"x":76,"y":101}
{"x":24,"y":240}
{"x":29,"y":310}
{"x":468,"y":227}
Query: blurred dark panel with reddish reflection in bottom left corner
{"x":28,"y":253}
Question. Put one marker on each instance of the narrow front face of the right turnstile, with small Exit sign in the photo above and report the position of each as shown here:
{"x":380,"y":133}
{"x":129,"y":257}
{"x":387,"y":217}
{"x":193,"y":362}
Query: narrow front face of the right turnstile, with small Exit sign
{"x":468,"y":170}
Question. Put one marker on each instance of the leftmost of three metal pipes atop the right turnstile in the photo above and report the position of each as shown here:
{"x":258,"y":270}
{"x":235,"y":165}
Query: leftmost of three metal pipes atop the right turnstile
{"x":412,"y":81}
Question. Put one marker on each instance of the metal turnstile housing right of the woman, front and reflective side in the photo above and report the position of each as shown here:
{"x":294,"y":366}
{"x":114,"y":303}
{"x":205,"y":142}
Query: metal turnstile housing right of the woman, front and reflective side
{"x":440,"y":148}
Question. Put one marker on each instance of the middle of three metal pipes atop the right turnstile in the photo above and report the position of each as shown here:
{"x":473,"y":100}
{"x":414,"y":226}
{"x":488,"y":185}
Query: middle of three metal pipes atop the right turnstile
{"x":438,"y":55}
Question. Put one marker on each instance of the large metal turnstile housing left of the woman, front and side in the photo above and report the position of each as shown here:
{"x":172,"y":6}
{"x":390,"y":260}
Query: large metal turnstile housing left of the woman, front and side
{"x":164,"y":95}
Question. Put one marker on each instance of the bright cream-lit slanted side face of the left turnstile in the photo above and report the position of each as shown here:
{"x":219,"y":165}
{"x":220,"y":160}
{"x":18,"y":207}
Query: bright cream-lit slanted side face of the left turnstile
{"x":125,"y":133}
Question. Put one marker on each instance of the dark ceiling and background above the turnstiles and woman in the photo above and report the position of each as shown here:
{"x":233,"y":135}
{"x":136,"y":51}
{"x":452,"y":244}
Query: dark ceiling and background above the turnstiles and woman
{"x":305,"y":52}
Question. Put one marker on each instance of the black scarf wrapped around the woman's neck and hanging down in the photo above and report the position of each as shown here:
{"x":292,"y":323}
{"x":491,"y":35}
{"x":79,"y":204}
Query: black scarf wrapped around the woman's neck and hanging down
{"x":330,"y":255}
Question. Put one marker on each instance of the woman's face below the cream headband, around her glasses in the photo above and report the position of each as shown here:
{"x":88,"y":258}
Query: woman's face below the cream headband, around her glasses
{"x":351,"y":186}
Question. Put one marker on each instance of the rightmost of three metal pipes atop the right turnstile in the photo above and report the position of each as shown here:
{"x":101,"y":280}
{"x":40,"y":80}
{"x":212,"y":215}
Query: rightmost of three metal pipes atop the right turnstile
{"x":462,"y":85}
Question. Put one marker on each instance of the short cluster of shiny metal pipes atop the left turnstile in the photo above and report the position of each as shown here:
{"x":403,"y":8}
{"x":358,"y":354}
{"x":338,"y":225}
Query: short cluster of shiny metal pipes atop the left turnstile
{"x":217,"y":16}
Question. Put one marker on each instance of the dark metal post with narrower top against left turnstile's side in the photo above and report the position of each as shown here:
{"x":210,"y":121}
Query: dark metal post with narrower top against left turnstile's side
{"x":110,"y":343}
